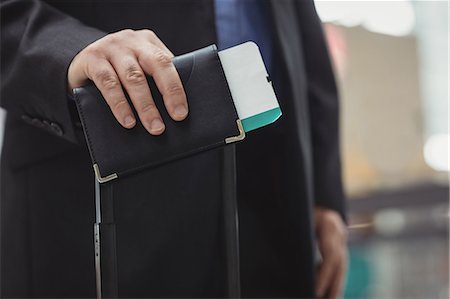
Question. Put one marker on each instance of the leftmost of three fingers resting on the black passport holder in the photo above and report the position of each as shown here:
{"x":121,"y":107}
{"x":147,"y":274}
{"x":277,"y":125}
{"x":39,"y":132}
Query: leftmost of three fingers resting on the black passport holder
{"x":107,"y":81}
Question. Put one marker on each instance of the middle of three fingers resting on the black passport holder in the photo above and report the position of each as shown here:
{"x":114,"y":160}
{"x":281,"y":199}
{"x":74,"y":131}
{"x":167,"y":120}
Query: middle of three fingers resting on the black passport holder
{"x":134,"y":81}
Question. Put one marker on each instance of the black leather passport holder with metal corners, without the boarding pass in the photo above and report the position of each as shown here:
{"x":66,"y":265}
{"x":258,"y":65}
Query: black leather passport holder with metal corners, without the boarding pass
{"x":212,"y":121}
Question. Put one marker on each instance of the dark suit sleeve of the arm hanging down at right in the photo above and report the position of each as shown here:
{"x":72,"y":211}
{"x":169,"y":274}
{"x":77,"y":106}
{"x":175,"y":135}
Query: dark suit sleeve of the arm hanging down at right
{"x":324,"y":111}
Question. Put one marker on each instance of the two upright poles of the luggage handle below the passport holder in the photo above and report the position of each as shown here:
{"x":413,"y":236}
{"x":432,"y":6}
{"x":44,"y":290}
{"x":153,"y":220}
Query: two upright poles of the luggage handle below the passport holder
{"x":105,"y":233}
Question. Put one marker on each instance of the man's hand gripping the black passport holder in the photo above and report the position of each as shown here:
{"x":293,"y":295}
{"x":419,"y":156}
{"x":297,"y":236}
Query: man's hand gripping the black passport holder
{"x":122,"y":59}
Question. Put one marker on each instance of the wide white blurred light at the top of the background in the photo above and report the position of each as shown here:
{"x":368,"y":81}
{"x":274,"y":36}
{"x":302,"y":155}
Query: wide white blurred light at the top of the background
{"x":394,"y":17}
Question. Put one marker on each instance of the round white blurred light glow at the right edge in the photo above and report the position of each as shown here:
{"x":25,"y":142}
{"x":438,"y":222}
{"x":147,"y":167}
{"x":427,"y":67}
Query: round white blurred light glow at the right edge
{"x":436,"y":151}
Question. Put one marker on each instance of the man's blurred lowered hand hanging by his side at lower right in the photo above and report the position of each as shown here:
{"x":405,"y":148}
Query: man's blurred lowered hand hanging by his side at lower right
{"x":332,"y":238}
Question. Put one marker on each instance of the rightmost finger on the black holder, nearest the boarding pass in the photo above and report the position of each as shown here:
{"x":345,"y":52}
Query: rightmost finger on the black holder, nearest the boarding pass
{"x":158,"y":63}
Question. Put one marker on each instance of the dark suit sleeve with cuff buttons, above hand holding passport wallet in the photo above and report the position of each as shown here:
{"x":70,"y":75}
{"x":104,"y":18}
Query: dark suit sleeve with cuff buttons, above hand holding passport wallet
{"x":38,"y":44}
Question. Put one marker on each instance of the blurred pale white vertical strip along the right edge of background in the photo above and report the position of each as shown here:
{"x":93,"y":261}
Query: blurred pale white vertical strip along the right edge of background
{"x":432,"y":38}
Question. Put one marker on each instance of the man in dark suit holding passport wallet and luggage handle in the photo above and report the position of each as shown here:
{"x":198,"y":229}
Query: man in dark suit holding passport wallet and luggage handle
{"x":289,"y":186}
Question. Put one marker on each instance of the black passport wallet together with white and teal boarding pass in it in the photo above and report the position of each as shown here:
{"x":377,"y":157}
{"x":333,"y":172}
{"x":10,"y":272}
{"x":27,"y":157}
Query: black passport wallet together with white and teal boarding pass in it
{"x":227,"y":95}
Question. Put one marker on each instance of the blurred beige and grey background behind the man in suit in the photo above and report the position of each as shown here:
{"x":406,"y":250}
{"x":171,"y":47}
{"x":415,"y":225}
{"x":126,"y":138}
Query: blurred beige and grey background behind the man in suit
{"x":391,"y":61}
